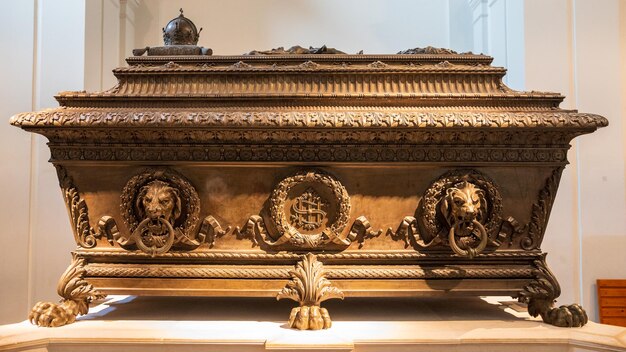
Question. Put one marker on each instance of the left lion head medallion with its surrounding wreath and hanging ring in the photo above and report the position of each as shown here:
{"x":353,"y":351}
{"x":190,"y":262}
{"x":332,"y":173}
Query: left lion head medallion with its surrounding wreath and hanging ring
{"x":161,"y":209}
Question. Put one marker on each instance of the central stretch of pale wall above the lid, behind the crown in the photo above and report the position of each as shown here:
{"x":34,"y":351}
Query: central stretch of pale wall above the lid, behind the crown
{"x":238,"y":26}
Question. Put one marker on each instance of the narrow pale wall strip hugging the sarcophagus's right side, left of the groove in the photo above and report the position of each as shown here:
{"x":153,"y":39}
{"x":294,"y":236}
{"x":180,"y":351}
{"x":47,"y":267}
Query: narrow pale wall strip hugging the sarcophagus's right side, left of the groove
{"x":549,"y":67}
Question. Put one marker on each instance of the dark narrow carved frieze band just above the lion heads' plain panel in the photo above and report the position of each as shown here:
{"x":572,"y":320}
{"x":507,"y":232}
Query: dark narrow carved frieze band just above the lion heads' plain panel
{"x":280,"y":152}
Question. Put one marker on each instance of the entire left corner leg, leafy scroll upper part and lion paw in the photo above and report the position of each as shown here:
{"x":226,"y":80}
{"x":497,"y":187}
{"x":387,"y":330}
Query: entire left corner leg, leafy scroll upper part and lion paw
{"x":76,"y":295}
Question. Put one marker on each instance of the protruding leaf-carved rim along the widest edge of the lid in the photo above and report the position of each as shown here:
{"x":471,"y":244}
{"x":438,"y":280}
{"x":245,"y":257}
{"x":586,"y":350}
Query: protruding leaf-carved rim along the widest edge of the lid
{"x":344,"y":119}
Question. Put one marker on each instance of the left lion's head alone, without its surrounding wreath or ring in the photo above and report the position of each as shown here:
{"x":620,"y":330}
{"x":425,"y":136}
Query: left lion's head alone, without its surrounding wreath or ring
{"x":158,"y":200}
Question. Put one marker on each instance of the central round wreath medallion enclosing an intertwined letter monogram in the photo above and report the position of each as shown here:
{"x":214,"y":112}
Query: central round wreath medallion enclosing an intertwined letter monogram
{"x":319,"y":208}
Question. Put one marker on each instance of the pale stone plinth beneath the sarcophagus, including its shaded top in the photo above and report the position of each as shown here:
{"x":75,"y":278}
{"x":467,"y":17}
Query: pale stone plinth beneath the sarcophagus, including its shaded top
{"x":128,"y":323}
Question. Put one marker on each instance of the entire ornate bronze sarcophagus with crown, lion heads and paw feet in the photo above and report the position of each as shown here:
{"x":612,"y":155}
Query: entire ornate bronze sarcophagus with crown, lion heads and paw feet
{"x":308,"y":174}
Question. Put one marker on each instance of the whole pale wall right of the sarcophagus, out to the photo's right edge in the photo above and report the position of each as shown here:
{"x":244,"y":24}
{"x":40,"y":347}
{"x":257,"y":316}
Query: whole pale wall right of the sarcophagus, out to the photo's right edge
{"x":577,"y":47}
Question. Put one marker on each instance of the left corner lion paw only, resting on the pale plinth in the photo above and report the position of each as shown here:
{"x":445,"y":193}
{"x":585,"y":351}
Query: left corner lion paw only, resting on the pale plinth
{"x":48,"y":314}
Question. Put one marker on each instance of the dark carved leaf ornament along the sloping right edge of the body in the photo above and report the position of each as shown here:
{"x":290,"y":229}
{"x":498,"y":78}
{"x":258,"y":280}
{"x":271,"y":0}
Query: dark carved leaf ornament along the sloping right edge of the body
{"x":541,"y":211}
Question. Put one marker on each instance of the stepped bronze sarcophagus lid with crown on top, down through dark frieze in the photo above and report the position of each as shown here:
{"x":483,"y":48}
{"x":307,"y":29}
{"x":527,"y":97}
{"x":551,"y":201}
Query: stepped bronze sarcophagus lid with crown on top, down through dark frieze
{"x":420,"y":96}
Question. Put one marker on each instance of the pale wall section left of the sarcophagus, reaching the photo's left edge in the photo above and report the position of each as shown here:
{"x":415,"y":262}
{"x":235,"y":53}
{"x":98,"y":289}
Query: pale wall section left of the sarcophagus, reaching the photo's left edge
{"x":44,"y":50}
